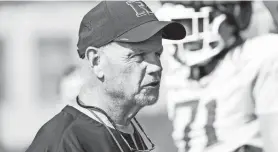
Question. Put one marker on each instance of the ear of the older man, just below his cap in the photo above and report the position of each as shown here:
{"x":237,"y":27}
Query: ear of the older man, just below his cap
{"x":92,"y":55}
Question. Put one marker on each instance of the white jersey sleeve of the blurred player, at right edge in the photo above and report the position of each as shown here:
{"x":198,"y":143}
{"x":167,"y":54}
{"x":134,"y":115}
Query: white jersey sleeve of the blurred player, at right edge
{"x":265,"y":91}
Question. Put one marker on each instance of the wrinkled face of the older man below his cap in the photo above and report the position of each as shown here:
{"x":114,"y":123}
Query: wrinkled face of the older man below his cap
{"x":132,"y":71}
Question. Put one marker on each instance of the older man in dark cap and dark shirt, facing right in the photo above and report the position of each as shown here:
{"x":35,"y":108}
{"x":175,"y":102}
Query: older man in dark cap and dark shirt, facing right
{"x":121,"y":41}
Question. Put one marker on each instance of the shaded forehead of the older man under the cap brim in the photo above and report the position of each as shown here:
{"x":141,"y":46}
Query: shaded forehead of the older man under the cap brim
{"x":151,"y":45}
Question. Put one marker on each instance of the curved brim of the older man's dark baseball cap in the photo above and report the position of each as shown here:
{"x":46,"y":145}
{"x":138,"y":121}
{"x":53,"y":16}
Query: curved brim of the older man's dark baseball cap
{"x":170,"y":30}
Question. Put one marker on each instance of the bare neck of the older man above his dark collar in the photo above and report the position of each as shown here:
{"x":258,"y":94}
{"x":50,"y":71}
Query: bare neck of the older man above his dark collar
{"x":121,"y":114}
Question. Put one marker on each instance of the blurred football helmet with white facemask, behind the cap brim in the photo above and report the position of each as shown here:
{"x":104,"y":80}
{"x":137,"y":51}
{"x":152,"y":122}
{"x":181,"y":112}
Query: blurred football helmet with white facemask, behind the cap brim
{"x":206,"y":36}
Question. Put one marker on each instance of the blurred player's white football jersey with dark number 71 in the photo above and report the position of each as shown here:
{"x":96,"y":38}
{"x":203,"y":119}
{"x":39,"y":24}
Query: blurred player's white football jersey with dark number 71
{"x":219,"y":112}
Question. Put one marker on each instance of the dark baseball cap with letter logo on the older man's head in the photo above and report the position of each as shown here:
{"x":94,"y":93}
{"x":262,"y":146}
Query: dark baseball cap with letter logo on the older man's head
{"x":123,"y":21}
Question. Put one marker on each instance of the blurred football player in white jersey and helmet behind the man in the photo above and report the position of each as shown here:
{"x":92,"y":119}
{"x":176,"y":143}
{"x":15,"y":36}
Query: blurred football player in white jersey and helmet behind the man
{"x":222,"y":88}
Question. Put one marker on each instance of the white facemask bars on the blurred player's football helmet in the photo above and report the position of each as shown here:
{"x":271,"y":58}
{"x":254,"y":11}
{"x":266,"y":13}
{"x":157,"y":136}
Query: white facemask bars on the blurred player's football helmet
{"x":203,"y":40}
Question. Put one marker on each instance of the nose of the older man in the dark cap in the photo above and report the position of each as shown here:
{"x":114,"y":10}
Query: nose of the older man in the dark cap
{"x":154,"y":64}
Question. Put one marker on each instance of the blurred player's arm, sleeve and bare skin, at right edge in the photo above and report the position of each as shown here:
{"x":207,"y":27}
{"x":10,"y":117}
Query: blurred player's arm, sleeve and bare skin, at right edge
{"x":266,"y":103}
